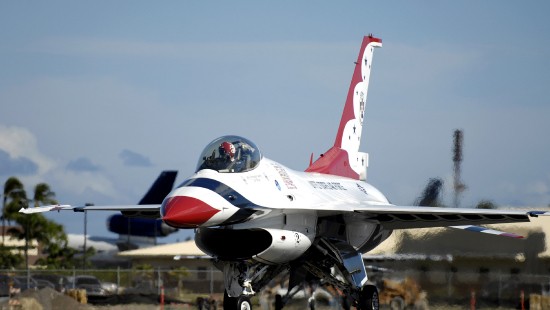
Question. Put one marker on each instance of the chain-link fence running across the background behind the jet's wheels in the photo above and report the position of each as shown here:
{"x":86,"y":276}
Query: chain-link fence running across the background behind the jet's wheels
{"x":483,"y":289}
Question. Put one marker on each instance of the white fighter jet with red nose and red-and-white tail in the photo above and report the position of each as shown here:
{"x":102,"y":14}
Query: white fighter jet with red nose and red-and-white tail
{"x":258,"y":218}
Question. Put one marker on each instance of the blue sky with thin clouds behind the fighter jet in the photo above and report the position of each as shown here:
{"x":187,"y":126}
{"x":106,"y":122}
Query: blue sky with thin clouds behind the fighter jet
{"x":96,"y":98}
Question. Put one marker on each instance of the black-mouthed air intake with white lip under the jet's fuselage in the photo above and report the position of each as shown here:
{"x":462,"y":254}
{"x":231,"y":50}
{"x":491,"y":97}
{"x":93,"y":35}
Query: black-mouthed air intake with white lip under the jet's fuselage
{"x":270,"y":246}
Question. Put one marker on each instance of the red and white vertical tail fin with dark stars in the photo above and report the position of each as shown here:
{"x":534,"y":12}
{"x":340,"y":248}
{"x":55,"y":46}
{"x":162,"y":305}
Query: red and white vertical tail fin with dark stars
{"x":344,"y":158}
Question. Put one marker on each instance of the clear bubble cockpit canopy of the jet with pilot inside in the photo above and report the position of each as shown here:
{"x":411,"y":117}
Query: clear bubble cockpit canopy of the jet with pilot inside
{"x":230,"y":154}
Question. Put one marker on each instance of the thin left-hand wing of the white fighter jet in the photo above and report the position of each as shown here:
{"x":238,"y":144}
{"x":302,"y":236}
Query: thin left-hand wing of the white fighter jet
{"x":149,"y":211}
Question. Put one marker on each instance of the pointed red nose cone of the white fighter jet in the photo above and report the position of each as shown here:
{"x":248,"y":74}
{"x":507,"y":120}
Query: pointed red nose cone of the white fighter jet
{"x":186,"y":212}
